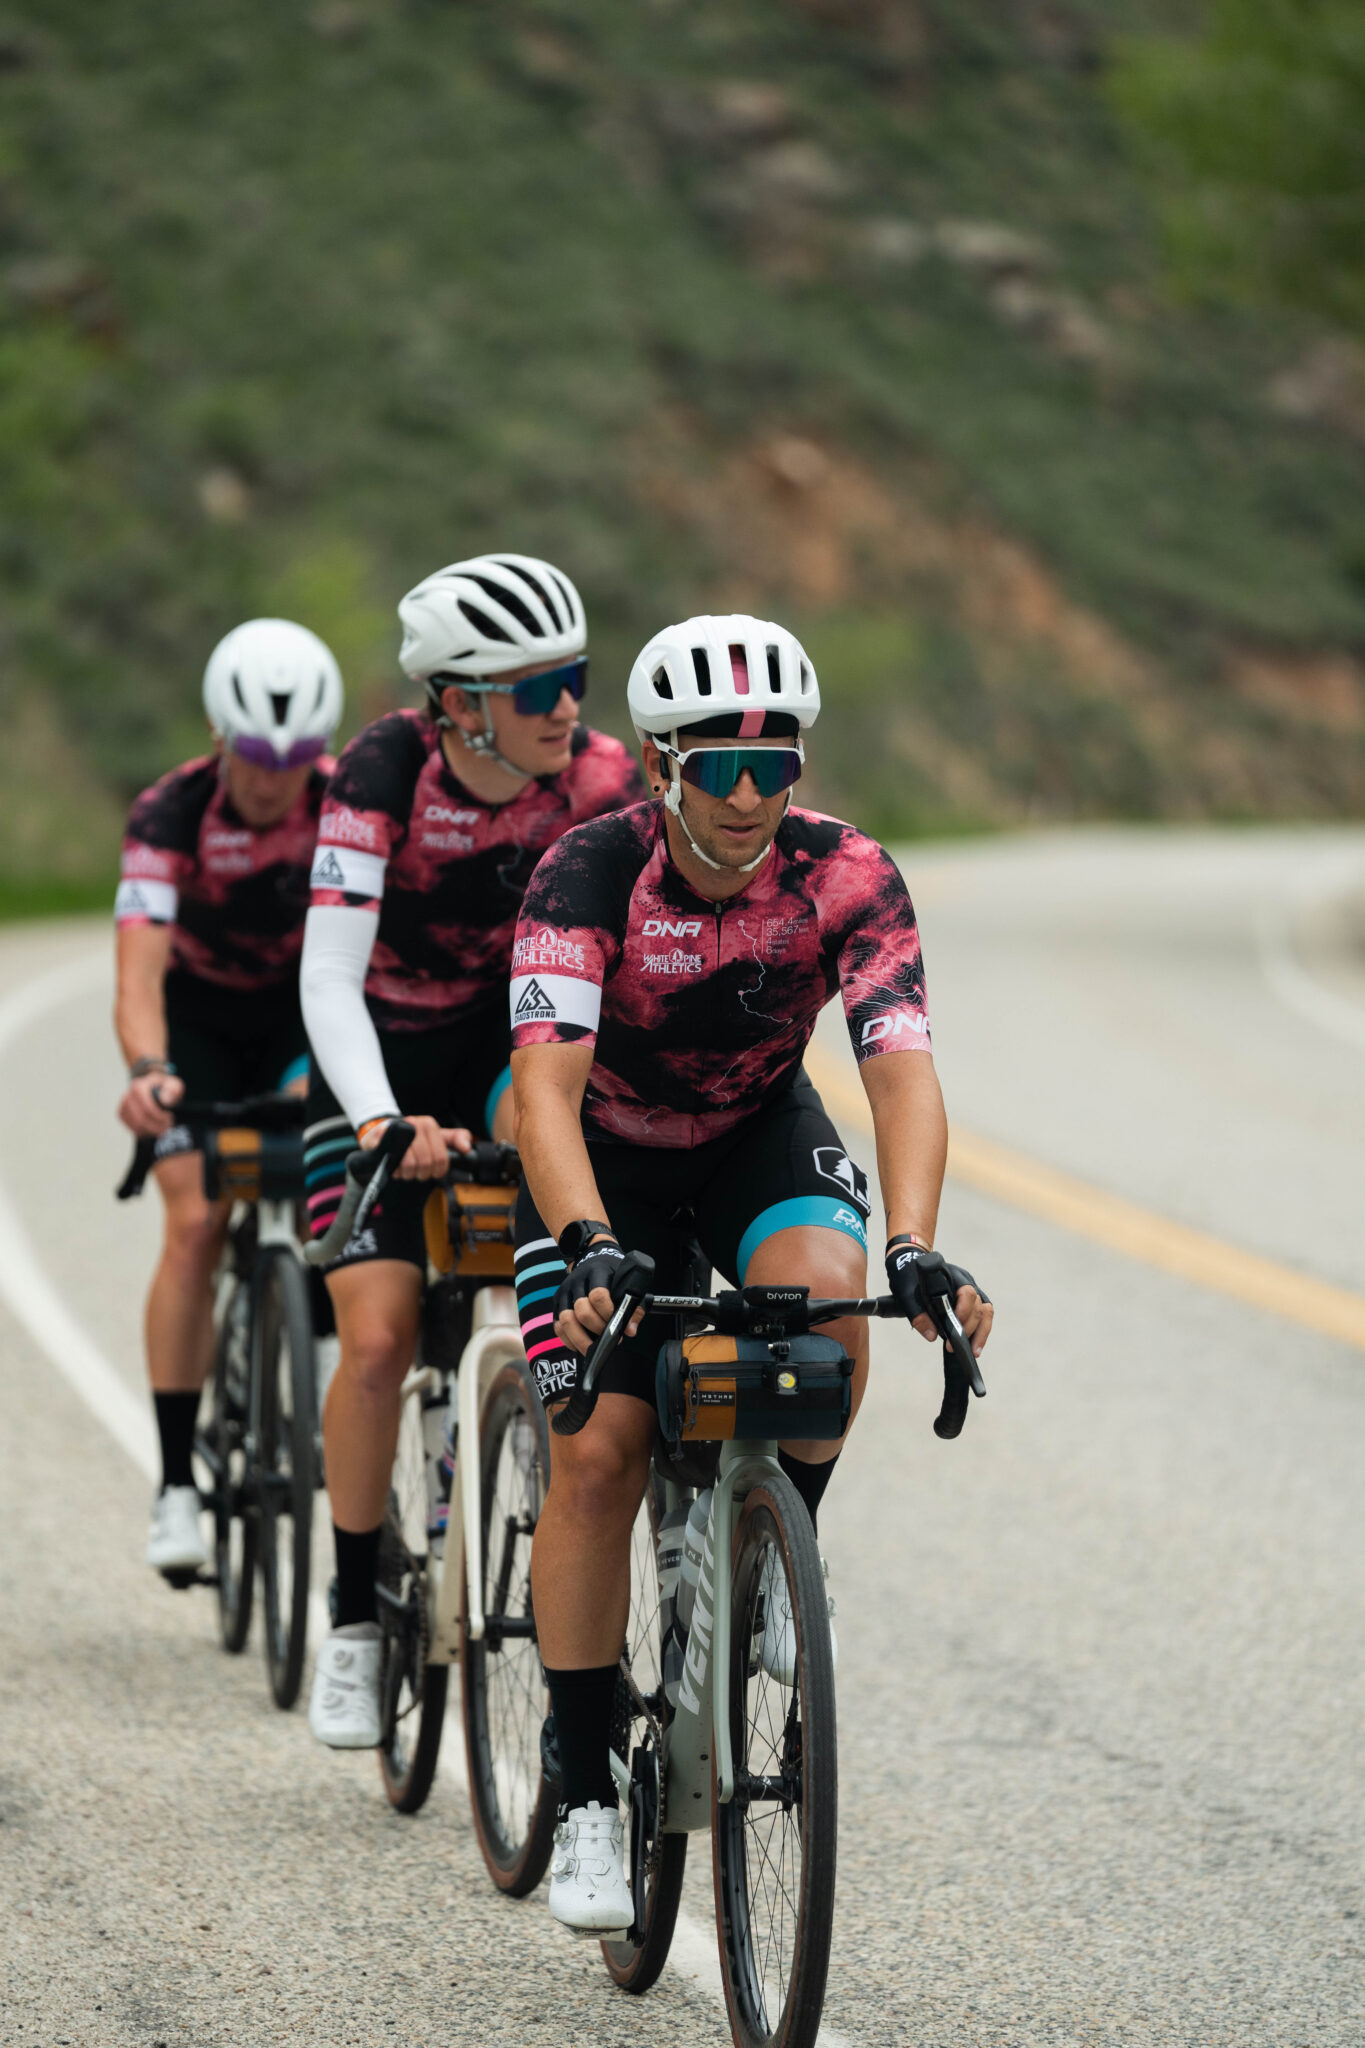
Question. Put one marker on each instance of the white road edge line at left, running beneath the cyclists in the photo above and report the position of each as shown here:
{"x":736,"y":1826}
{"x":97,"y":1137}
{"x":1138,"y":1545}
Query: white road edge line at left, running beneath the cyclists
{"x":126,"y":1416}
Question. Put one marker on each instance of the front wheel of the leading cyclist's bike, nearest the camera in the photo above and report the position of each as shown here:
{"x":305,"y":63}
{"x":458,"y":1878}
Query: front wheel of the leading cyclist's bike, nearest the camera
{"x":775,"y":1842}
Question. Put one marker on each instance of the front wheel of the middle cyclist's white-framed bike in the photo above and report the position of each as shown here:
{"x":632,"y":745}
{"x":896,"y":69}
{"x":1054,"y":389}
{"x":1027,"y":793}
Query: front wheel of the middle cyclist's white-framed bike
{"x":502,"y":1684}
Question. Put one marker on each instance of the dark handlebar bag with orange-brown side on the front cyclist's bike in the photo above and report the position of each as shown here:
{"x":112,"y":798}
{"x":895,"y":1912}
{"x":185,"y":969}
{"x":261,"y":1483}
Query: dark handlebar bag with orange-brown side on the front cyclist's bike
{"x":715,"y":1390}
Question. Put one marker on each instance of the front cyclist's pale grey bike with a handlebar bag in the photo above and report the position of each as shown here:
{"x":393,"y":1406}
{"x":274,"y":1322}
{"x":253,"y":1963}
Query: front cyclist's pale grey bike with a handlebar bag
{"x":725,"y":1711}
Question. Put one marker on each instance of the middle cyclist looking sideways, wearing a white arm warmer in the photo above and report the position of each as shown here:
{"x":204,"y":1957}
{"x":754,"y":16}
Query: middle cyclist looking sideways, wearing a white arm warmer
{"x":433,"y":826}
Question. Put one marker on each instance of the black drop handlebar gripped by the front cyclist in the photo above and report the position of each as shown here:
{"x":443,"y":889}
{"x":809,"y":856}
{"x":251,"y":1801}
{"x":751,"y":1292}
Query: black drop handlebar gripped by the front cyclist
{"x":736,"y":1314}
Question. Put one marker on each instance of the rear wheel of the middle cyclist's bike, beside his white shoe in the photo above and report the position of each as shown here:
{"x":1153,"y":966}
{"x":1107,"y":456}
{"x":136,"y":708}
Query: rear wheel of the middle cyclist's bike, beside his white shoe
{"x":412,"y":1693}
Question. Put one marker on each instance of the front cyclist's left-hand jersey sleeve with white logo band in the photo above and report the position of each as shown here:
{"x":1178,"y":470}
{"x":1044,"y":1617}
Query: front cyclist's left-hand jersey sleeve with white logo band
{"x":564,"y":949}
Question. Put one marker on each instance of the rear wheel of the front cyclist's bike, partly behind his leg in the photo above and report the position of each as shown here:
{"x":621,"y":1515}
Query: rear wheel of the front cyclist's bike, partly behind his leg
{"x":656,"y":1861}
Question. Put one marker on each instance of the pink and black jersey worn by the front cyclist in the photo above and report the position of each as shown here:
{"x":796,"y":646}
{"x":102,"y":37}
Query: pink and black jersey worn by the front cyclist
{"x":699,"y":1013}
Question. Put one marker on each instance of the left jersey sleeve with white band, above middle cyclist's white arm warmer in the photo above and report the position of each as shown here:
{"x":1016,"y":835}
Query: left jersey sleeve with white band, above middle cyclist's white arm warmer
{"x":365,"y":814}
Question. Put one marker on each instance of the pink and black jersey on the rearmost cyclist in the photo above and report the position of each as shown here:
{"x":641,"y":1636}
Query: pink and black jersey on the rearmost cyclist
{"x":234,"y":898}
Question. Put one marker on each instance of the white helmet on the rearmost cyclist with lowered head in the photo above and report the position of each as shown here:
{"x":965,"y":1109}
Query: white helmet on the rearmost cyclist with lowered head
{"x":273,"y":693}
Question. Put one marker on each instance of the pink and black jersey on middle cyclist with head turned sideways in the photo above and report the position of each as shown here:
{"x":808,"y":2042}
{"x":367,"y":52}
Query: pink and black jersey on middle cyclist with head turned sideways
{"x":445,"y":869}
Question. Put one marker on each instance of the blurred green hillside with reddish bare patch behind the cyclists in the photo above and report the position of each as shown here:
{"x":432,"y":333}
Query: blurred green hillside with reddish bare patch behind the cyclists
{"x":852,"y":310}
